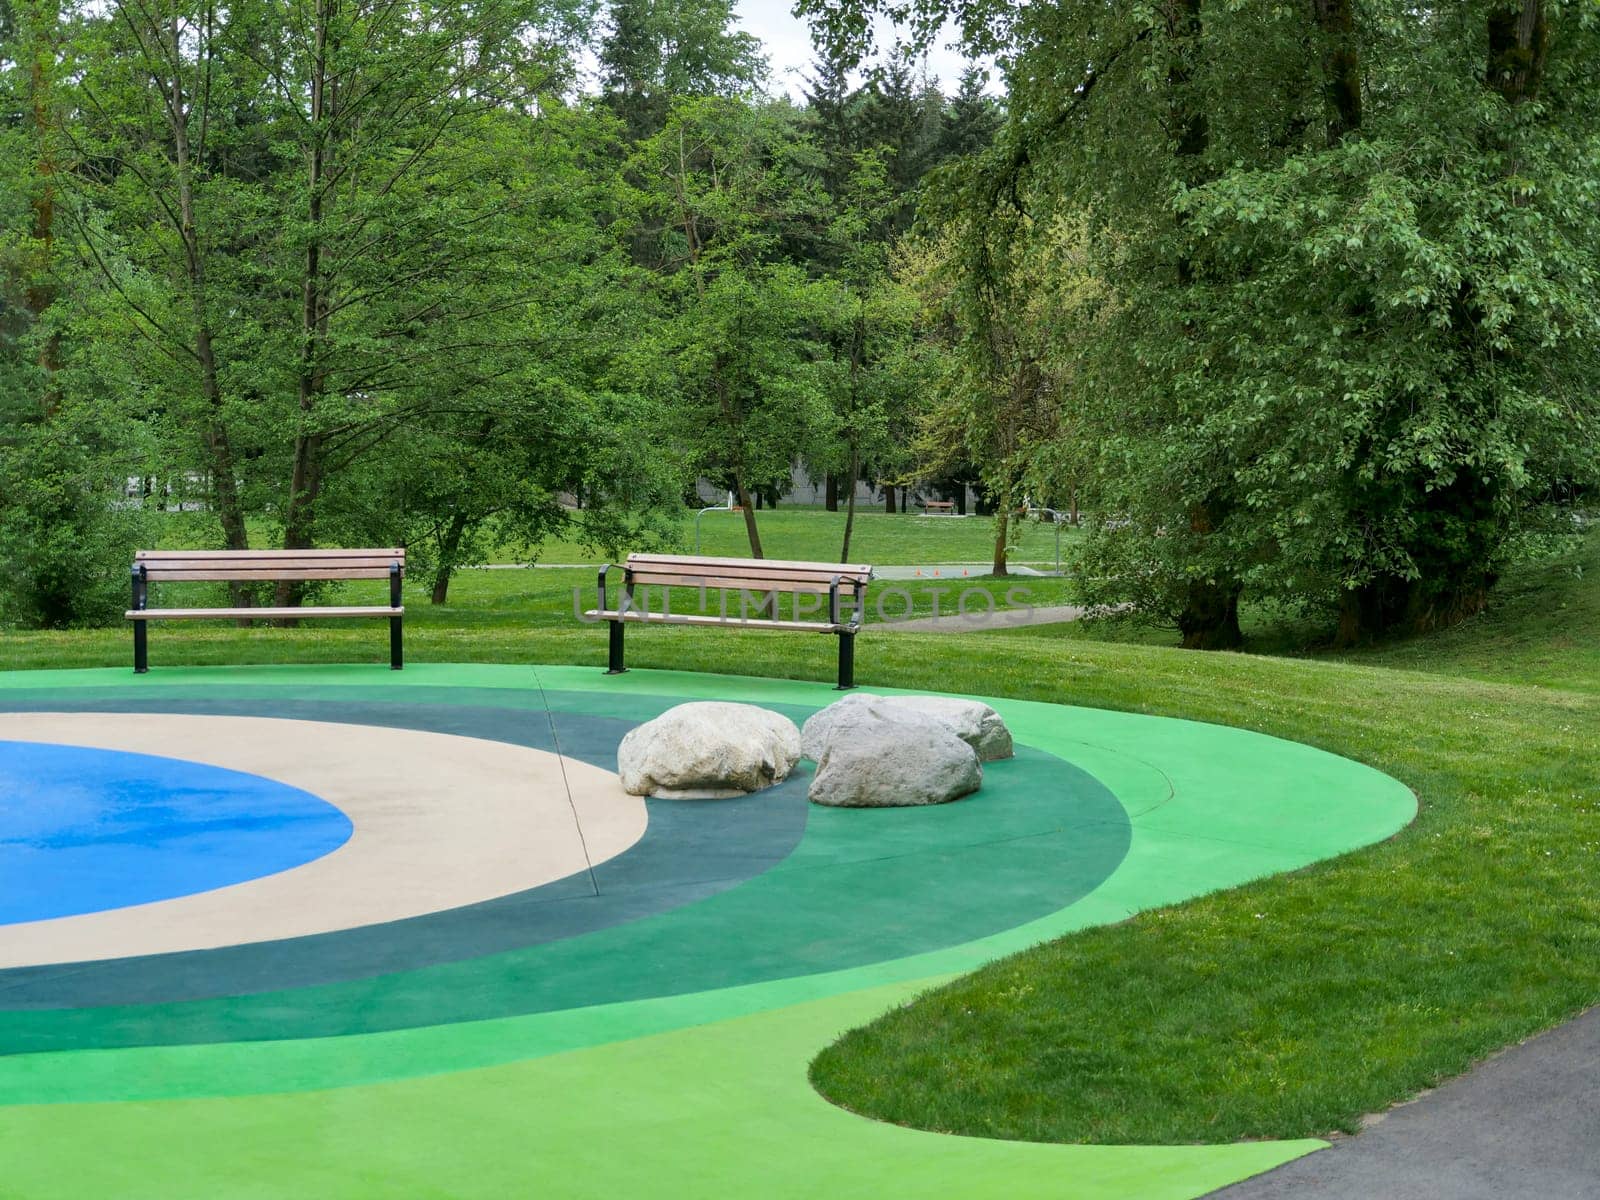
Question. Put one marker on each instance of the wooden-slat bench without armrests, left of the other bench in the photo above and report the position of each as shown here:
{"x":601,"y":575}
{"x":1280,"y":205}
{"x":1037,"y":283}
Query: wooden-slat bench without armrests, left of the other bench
{"x":263,"y":566}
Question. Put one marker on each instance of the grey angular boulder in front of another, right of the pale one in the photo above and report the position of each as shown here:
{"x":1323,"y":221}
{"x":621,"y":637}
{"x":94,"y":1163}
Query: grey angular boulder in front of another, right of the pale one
{"x":892,"y":756}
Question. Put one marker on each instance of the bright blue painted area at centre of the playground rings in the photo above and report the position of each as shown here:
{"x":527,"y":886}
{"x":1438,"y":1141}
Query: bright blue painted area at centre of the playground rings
{"x":87,"y":830}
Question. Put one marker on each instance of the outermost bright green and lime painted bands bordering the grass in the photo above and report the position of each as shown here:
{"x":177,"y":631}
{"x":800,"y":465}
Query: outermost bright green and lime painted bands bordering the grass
{"x":676,"y":1097}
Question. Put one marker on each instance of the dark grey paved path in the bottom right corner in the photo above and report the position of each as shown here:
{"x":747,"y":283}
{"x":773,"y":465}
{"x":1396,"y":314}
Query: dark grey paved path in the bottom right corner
{"x":1526,"y":1126}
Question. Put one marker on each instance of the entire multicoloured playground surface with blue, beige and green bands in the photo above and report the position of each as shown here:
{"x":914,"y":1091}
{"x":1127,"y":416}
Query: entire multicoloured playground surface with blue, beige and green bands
{"x":340,"y":932}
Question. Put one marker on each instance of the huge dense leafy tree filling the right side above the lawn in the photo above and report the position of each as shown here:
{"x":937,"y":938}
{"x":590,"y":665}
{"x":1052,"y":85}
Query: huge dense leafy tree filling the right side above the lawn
{"x":1348,"y":351}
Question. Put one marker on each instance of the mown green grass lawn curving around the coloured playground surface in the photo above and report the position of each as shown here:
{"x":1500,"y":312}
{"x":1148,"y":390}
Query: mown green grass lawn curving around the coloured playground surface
{"x":1284,"y":1009}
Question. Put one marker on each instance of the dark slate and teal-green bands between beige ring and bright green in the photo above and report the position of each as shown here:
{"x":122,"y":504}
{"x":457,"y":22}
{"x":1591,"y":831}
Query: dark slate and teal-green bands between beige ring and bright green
{"x":689,"y":910}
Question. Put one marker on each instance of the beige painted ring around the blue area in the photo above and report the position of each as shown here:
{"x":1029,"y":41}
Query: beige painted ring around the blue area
{"x":441,"y":822}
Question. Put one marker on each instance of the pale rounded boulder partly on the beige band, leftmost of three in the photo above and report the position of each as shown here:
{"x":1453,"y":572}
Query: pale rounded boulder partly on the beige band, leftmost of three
{"x":708,"y":750}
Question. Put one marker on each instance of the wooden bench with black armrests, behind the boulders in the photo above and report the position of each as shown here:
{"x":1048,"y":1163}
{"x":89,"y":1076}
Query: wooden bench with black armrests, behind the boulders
{"x":759,"y":582}
